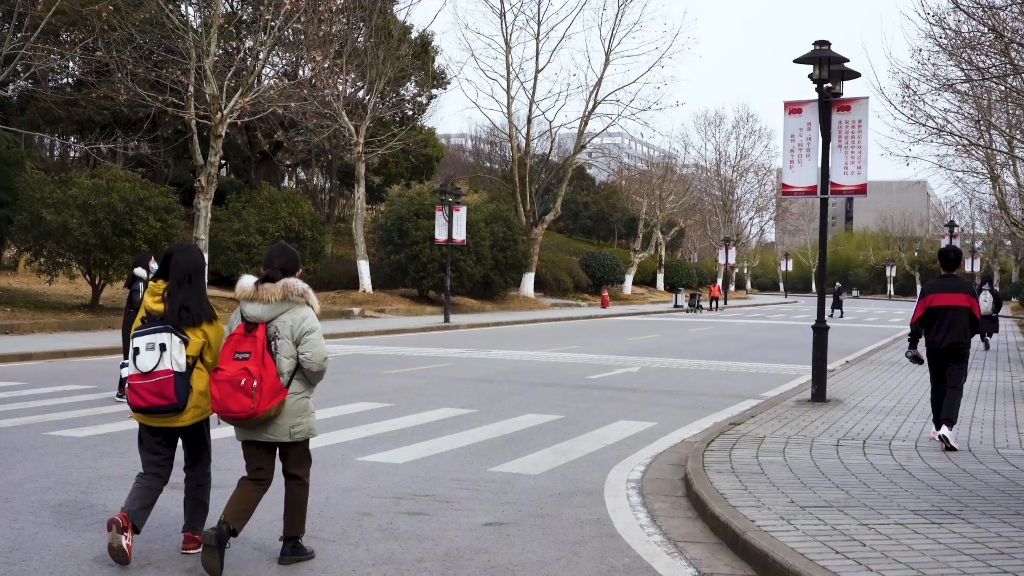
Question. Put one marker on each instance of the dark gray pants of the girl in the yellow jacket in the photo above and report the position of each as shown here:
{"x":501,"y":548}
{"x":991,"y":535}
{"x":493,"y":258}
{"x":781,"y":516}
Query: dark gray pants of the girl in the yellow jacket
{"x":156,"y":449}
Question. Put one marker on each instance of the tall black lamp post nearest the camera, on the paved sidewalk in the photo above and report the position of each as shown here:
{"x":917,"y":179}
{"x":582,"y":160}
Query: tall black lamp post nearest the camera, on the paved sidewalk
{"x":828,"y":73}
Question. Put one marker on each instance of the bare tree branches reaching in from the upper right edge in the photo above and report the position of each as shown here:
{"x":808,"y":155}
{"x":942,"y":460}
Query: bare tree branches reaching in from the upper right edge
{"x":957,"y":102}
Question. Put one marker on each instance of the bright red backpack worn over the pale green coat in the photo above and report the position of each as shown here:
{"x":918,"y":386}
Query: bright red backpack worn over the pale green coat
{"x":245,"y":389}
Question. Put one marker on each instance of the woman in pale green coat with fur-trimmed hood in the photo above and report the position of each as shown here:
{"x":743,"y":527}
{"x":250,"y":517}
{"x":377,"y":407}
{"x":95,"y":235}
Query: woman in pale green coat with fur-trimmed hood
{"x":289,"y":308}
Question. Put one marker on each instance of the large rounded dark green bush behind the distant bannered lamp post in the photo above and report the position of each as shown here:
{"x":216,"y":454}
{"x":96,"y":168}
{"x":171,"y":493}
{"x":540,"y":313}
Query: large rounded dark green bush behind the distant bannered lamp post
{"x":492,"y":261}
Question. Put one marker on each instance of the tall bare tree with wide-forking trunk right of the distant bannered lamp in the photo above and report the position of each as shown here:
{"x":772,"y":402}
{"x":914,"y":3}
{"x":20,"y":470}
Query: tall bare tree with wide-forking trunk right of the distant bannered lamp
{"x":552,"y":77}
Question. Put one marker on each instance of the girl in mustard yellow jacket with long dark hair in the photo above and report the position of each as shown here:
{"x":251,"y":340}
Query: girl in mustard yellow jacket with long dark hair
{"x":179,"y":294}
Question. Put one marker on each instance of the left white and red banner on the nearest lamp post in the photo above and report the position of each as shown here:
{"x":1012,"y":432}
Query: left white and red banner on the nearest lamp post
{"x":800,"y":149}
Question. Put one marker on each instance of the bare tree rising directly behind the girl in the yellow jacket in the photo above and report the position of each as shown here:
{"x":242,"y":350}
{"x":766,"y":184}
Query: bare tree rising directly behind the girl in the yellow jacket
{"x":212,"y":64}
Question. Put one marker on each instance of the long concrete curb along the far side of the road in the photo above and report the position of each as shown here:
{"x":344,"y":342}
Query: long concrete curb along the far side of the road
{"x":9,"y":358}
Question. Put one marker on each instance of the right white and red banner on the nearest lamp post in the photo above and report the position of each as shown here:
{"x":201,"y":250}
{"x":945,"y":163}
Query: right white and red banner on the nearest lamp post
{"x":848,"y":173}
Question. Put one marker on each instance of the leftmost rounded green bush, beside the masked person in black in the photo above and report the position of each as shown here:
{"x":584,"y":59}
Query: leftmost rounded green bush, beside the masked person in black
{"x":92,"y":224}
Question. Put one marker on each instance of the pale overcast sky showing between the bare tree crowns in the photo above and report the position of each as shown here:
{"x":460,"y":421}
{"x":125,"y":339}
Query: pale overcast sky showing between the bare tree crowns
{"x":744,"y":53}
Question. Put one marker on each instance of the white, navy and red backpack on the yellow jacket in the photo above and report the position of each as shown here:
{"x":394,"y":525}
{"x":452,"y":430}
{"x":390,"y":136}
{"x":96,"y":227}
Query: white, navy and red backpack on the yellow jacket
{"x":159,"y":375}
